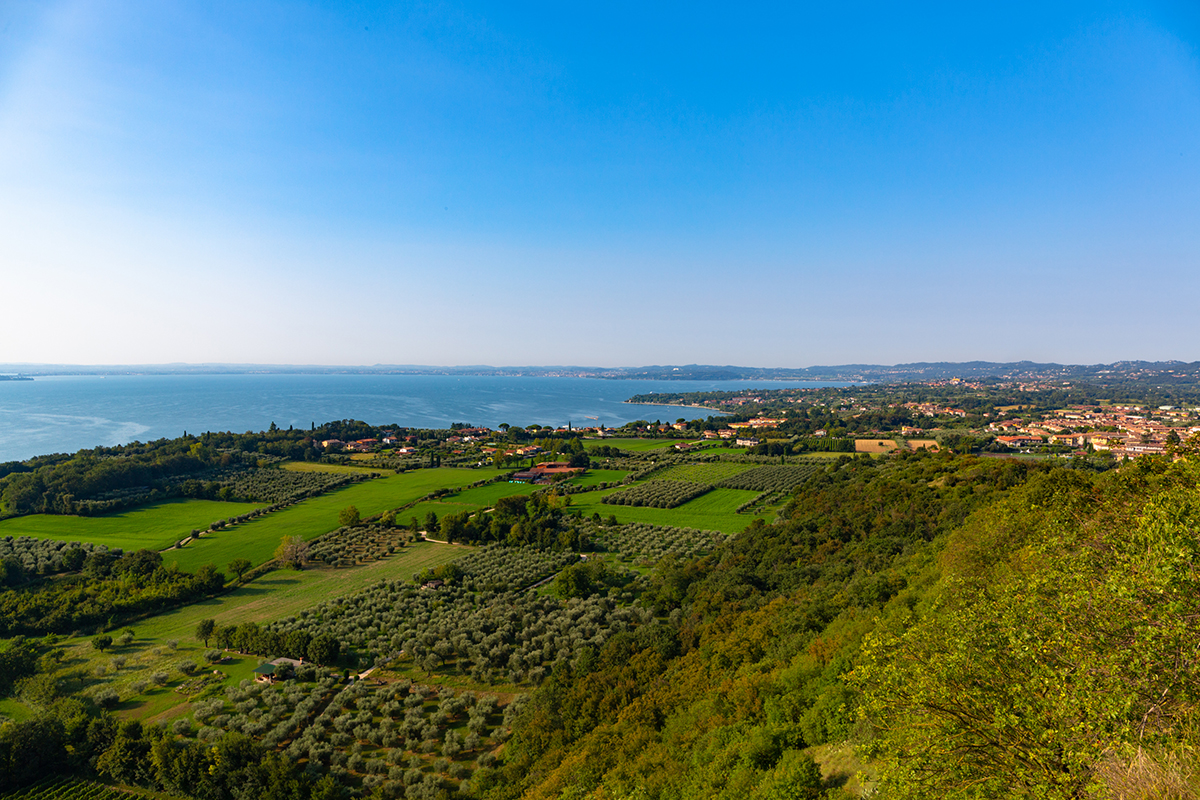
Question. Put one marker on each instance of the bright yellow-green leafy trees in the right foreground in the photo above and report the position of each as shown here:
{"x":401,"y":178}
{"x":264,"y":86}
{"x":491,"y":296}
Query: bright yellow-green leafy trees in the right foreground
{"x":1073,"y":648}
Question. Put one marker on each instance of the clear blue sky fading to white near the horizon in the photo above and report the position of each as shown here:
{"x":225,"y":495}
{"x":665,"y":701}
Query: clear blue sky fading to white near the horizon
{"x":598,"y":184}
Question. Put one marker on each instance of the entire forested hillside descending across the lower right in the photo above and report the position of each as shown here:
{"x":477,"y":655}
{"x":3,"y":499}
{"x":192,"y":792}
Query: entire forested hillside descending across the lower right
{"x":980,"y":628}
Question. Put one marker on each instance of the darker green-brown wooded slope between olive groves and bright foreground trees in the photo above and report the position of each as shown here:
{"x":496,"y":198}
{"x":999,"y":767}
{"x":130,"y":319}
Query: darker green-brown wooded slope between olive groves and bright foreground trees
{"x":749,"y":666}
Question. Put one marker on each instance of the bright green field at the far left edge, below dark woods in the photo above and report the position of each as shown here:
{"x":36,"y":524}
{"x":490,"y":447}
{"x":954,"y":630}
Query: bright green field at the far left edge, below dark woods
{"x":153,"y":527}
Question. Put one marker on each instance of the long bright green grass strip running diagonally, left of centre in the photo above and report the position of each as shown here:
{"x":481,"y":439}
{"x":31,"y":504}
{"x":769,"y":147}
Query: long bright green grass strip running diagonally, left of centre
{"x":256,"y":540}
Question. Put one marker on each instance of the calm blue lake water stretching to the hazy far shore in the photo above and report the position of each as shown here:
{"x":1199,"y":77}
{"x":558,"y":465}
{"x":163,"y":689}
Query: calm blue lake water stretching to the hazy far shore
{"x":71,"y":413}
